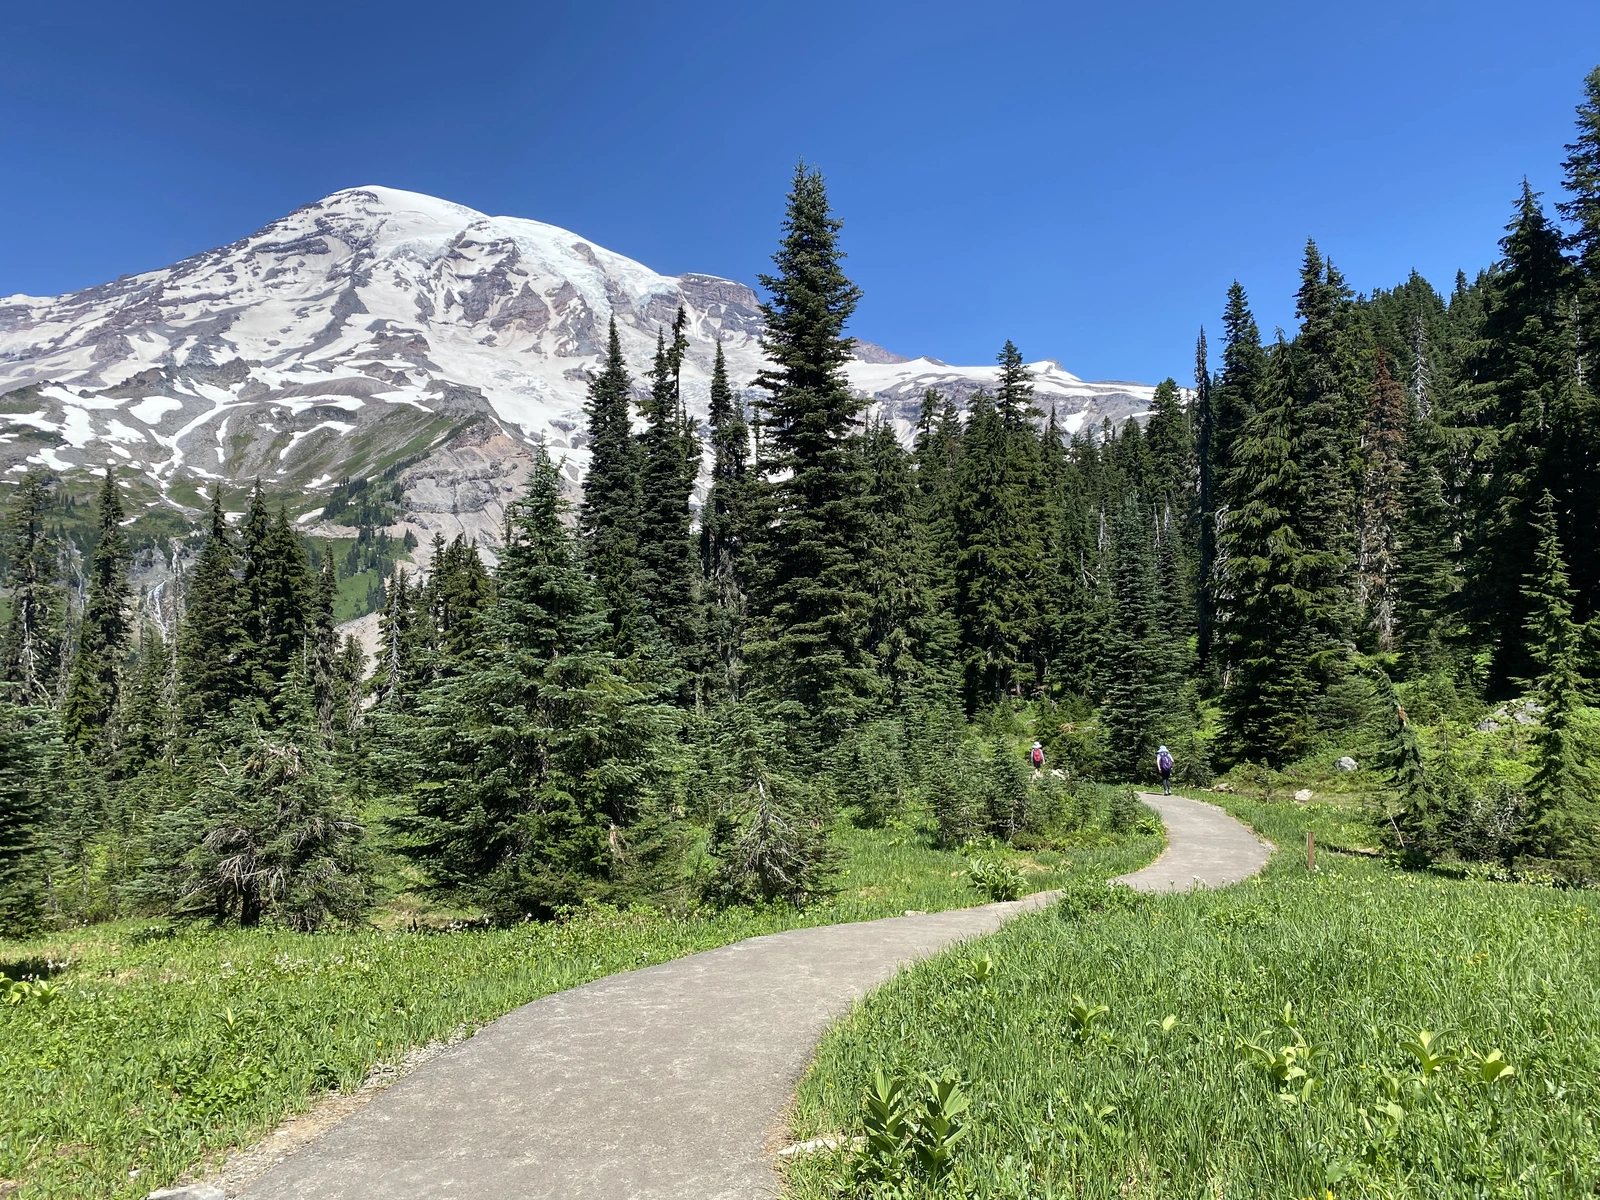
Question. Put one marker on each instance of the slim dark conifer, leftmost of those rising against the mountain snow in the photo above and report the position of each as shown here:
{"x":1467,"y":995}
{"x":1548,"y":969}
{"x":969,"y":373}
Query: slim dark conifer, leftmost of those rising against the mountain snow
{"x":610,"y":513}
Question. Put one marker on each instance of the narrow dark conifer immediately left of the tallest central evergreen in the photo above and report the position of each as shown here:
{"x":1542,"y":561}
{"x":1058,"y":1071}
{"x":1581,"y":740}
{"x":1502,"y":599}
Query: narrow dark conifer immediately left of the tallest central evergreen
{"x":726,"y":532}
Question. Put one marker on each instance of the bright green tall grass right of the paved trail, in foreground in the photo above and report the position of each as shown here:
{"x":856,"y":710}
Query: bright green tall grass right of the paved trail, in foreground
{"x":1263,"y":1041}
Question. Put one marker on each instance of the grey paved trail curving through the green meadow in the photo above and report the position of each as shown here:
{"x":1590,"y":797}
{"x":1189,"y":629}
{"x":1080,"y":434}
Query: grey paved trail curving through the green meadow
{"x":668,"y":1082}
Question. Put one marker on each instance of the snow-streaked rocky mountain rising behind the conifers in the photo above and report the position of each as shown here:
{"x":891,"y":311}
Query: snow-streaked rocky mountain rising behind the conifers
{"x":382,"y":330}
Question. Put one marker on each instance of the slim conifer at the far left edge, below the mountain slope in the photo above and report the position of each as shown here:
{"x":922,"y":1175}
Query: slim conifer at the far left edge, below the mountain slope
{"x":33,"y":644}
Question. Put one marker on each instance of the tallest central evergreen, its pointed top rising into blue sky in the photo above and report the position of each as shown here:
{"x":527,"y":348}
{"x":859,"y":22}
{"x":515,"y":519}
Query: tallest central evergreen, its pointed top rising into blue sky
{"x":810,"y":593}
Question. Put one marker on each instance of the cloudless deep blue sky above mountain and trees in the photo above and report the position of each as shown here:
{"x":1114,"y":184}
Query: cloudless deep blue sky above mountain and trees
{"x":1084,"y":178}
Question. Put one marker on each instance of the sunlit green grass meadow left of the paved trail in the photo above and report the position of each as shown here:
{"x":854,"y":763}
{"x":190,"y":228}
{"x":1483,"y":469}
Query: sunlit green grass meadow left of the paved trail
{"x":159,"y":1046}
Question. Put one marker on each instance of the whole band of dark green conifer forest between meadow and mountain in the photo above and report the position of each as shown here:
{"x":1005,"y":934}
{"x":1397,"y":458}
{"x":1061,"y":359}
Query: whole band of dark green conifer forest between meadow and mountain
{"x":1380,"y":526}
